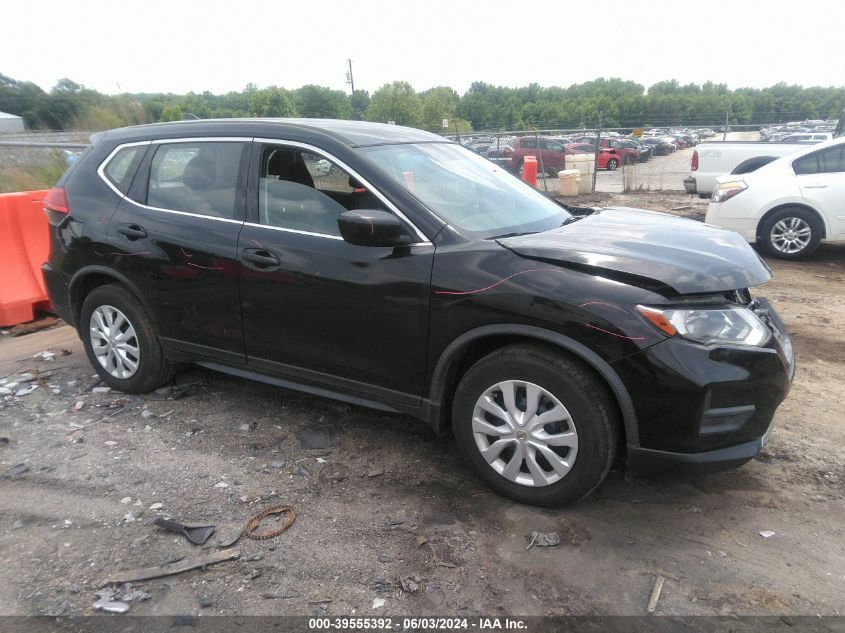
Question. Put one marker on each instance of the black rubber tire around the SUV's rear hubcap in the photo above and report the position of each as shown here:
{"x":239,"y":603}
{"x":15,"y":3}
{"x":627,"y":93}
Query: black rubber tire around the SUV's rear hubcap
{"x":154,"y":370}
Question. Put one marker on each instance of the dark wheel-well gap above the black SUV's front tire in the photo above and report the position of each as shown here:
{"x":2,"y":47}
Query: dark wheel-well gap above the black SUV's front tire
{"x":477,"y":349}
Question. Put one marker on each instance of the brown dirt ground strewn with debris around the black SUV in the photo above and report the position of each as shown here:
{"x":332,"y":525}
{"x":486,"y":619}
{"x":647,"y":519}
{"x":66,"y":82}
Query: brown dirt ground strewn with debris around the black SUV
{"x":386,"y":511}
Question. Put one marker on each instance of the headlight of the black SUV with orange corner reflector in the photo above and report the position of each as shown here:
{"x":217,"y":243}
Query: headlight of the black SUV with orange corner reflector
{"x":738,"y":326}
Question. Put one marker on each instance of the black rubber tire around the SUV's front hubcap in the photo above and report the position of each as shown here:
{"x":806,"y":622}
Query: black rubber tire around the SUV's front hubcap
{"x":574,"y":386}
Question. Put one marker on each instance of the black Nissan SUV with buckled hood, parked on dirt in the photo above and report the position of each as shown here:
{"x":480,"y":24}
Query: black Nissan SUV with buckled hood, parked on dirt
{"x":388,"y":267}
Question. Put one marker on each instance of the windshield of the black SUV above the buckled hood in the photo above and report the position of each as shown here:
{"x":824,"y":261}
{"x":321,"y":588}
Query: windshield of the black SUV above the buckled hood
{"x":472,"y":194}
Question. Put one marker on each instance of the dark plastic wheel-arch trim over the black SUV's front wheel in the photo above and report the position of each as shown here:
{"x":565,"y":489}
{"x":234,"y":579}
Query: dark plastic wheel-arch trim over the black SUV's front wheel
{"x":617,"y":387}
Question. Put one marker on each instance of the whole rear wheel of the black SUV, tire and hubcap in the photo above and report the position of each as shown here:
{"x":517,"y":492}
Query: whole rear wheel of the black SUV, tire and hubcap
{"x":121,"y":342}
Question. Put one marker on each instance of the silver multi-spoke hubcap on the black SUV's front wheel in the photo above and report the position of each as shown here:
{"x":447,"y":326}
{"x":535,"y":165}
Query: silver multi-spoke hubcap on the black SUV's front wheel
{"x":524,"y":433}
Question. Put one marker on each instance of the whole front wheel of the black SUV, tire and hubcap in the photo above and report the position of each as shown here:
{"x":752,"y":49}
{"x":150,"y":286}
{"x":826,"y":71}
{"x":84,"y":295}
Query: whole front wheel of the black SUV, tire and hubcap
{"x":535,"y":425}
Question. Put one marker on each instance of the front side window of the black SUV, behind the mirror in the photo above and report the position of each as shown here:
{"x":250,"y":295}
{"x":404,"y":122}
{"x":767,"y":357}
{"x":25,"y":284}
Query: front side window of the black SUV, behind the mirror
{"x":301,"y":191}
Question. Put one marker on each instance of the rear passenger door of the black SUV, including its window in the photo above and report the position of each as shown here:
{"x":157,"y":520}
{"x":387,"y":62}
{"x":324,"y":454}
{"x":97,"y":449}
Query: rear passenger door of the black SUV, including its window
{"x":175,"y":238}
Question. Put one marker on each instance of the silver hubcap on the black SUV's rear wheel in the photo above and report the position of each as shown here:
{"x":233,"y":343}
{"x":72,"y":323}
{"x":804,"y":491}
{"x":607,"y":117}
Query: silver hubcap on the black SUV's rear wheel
{"x":114,"y":342}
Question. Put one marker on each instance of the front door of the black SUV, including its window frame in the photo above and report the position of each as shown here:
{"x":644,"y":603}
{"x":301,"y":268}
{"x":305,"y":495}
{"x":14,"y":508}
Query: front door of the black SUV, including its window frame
{"x":316,"y":308}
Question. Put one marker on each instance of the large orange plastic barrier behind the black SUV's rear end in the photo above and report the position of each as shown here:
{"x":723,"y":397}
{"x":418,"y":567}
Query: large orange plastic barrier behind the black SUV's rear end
{"x":24,"y":246}
